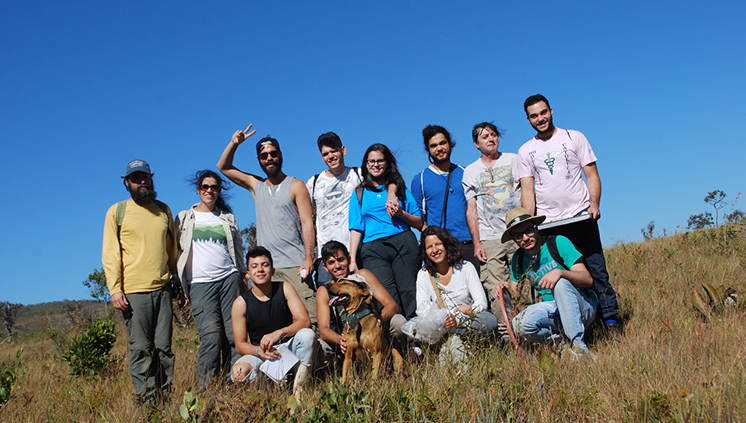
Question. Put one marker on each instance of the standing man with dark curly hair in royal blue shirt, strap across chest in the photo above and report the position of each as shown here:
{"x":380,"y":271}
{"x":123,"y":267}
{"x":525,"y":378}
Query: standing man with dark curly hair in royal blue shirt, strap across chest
{"x":440,"y":193}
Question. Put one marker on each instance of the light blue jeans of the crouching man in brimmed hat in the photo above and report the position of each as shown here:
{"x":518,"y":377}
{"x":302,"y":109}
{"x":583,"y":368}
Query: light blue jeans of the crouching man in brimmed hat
{"x":570,"y":313}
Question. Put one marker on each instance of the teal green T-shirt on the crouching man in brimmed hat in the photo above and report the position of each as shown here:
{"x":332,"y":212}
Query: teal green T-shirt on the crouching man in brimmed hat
{"x":535,"y":267}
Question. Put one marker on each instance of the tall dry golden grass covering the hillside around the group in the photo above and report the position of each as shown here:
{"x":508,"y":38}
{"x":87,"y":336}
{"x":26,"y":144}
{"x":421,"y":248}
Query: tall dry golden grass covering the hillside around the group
{"x":671,"y":364}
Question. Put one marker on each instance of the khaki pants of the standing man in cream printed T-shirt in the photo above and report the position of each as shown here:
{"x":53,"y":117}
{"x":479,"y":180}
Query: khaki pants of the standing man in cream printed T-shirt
{"x":495,"y":270}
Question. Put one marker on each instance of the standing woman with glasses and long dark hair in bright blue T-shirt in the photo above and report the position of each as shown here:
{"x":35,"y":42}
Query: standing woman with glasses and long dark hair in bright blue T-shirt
{"x":389,"y":248}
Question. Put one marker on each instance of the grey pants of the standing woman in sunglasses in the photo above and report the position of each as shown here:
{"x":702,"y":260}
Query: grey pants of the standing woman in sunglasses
{"x":211,"y":307}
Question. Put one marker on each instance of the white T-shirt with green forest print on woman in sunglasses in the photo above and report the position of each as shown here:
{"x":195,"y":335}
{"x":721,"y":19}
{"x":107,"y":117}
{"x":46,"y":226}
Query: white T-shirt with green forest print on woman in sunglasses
{"x":209,"y":260}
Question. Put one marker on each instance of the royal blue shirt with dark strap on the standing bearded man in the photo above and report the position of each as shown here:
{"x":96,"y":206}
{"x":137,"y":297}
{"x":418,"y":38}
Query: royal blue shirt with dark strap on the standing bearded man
{"x":434,"y":190}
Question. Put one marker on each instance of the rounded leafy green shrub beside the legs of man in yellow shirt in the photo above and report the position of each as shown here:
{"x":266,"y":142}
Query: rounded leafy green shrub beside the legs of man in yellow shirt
{"x":88,"y":353}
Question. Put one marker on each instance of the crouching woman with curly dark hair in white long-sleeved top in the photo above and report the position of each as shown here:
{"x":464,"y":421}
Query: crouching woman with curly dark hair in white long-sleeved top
{"x":448,"y":281}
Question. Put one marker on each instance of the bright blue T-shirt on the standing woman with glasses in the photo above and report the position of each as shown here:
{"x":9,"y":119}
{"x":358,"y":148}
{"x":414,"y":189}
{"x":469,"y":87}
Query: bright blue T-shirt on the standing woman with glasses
{"x":372,"y":219}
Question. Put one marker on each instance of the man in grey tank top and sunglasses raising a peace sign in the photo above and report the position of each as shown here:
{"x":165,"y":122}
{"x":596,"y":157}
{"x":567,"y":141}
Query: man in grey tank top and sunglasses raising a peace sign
{"x":284,"y":221}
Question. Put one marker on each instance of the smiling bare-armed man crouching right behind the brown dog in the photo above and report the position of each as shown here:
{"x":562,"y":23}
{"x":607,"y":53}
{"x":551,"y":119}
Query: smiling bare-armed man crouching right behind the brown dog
{"x":336,"y":260}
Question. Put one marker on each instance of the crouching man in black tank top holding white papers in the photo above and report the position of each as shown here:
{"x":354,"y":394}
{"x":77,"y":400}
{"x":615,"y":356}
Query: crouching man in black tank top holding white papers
{"x":269,"y":314}
